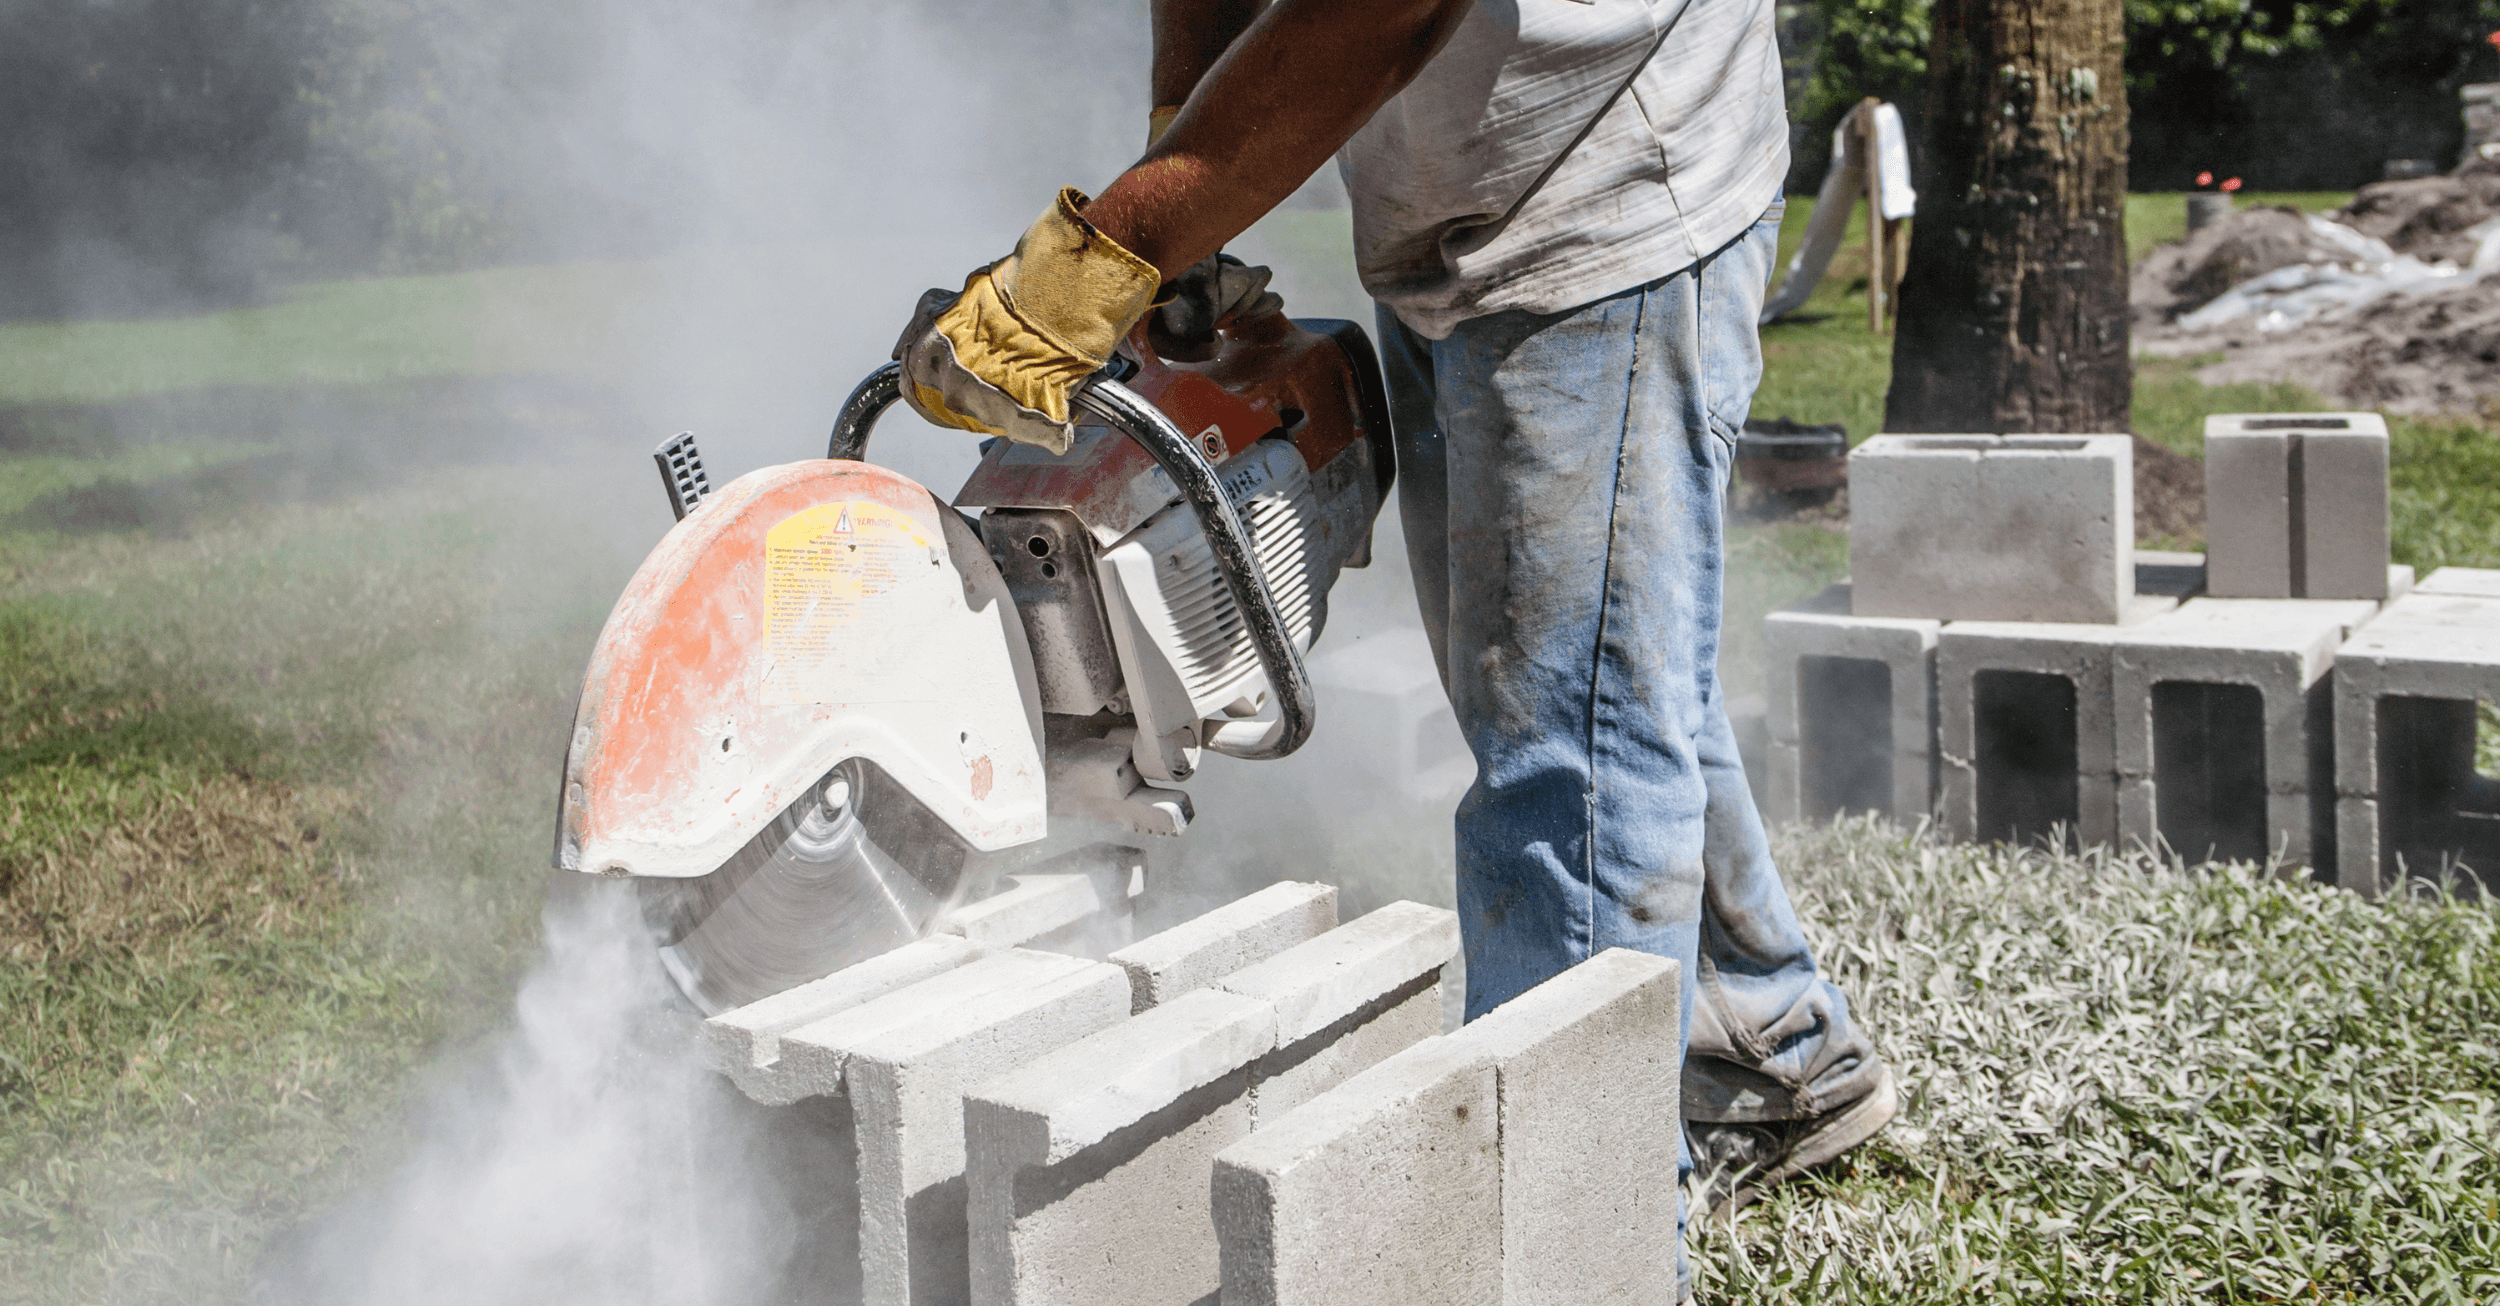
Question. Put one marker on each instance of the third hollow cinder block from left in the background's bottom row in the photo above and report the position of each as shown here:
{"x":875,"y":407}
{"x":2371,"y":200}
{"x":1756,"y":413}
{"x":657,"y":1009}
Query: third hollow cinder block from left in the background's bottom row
{"x":2224,"y":732}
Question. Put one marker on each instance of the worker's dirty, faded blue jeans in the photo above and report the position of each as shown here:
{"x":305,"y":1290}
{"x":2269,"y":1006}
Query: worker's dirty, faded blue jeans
{"x":1564,"y":484}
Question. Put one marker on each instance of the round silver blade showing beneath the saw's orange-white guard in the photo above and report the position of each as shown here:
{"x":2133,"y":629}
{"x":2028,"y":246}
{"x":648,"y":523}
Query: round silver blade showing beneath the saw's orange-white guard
{"x":811,"y":894}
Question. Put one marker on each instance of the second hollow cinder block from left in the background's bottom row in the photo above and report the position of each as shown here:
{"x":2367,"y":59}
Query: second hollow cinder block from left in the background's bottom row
{"x":2026,"y":732}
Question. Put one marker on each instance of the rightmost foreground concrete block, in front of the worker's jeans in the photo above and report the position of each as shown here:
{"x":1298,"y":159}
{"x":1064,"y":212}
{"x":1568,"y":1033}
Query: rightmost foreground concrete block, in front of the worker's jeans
{"x":1514,"y":1162}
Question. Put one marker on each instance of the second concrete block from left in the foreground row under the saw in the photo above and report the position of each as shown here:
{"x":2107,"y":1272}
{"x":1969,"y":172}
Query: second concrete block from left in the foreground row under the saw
{"x":906,"y":1062}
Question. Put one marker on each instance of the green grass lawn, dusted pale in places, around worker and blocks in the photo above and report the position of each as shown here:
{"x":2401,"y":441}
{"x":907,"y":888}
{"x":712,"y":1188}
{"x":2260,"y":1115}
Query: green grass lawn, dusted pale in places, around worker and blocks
{"x":294,"y":604}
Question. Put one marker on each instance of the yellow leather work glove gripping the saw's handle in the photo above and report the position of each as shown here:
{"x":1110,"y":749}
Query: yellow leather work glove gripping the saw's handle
{"x":1026,"y":332}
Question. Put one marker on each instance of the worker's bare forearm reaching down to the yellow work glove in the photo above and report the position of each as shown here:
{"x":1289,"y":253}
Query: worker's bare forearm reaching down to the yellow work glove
{"x":1264,"y":119}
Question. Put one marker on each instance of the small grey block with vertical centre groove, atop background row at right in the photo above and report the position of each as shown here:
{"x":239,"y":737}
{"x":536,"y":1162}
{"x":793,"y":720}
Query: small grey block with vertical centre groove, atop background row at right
{"x":2296,"y":504}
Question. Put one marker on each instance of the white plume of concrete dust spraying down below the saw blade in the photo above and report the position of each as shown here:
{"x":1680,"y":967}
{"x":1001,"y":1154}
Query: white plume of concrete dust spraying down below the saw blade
{"x":586,"y":1160}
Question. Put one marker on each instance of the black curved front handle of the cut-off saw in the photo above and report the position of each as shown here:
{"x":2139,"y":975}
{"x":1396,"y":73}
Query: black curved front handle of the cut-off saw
{"x":1129,"y":414}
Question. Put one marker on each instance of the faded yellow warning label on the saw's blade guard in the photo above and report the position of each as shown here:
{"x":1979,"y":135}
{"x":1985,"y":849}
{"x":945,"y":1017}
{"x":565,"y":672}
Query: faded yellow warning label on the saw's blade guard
{"x":824,"y":574}
